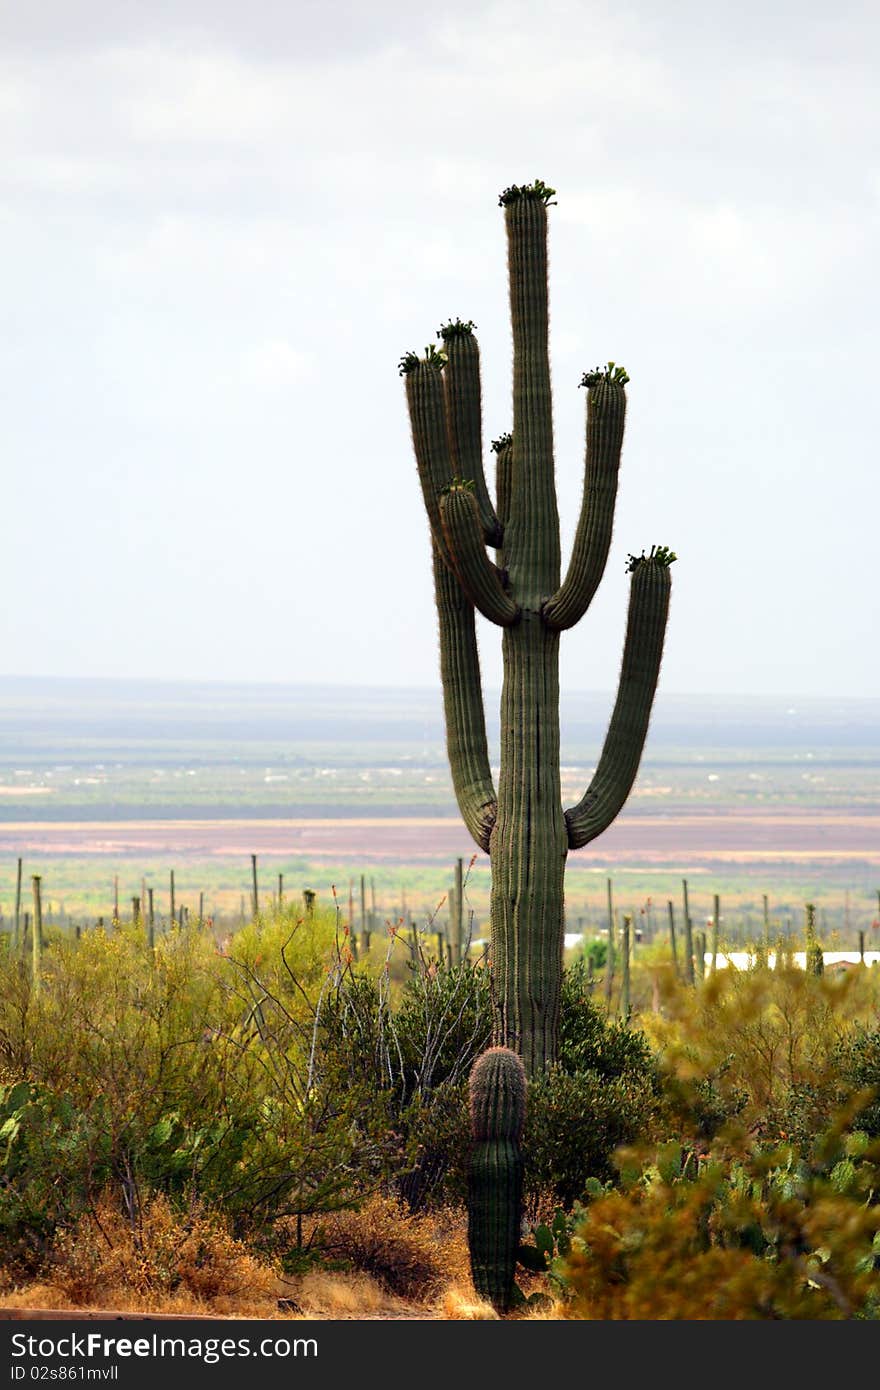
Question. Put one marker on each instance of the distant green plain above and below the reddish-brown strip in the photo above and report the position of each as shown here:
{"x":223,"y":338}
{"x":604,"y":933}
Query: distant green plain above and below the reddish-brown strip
{"x":87,"y":753}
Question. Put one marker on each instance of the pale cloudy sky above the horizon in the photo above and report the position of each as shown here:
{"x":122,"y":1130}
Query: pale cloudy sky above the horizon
{"x":222,"y":224}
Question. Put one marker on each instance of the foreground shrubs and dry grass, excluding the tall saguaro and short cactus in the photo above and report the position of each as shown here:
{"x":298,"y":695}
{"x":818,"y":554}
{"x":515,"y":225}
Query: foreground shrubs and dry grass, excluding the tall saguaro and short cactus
{"x":279,"y":1125}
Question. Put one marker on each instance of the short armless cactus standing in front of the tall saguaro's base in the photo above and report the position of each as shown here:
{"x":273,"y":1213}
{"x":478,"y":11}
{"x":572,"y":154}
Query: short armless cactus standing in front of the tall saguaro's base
{"x":496,"y":1179}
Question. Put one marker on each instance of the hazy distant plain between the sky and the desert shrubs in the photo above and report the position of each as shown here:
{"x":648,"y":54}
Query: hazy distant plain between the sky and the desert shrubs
{"x":129,"y":780}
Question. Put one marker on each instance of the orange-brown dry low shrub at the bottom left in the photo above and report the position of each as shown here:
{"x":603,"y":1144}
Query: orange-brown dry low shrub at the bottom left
{"x":165,"y":1252}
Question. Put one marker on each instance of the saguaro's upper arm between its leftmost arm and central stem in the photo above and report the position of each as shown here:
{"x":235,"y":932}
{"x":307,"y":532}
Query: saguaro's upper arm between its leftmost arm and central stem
{"x":464,"y":416}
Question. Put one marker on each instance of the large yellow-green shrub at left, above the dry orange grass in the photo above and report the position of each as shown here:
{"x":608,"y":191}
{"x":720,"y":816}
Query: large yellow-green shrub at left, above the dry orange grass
{"x":172,"y":1071}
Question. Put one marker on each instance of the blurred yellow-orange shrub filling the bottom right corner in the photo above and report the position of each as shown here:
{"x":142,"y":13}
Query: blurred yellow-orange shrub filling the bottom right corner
{"x":764,"y":1235}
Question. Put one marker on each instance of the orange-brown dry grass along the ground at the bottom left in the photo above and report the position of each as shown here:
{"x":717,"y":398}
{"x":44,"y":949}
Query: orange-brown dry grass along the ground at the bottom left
{"x":401,"y":1267}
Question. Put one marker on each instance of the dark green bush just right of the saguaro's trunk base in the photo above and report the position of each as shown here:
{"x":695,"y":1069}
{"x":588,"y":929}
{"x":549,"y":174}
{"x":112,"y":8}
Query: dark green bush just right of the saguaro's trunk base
{"x":573,"y":1127}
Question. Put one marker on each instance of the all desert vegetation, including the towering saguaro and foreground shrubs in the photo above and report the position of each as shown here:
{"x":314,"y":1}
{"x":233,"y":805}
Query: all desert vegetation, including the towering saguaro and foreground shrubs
{"x":255,"y":1120}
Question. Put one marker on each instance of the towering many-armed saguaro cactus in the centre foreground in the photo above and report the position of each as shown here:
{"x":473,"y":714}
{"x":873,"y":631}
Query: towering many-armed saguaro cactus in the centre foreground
{"x":523,"y":825}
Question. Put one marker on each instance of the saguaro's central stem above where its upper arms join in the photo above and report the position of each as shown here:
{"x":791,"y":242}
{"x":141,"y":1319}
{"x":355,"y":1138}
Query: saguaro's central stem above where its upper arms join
{"x":532,"y":532}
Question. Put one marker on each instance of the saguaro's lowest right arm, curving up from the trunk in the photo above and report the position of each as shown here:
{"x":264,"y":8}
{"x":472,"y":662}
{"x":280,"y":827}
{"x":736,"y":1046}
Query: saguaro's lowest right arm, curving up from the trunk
{"x":629,"y":725}
